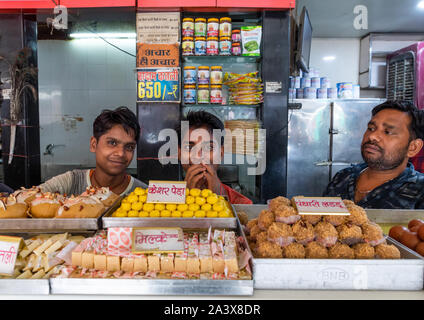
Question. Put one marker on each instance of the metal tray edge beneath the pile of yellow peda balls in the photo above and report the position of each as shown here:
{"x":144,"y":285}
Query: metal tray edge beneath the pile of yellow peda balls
{"x":197,"y":223}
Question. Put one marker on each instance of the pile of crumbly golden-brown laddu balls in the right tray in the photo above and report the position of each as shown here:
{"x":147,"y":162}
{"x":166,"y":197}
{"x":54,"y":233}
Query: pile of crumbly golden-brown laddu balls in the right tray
{"x":280,"y":232}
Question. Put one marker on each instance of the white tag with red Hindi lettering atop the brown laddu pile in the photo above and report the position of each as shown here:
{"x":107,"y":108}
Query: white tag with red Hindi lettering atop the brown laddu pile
{"x":321,"y":205}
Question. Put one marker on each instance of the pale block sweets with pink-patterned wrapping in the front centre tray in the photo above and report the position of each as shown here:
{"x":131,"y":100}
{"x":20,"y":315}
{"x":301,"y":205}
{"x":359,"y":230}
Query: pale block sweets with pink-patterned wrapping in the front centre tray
{"x":216,"y":255}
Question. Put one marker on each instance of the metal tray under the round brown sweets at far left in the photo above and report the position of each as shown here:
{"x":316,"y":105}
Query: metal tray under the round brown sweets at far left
{"x":34,"y":224}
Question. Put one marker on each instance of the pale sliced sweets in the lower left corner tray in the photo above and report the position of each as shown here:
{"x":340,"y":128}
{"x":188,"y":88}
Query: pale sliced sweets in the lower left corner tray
{"x":44,"y":255}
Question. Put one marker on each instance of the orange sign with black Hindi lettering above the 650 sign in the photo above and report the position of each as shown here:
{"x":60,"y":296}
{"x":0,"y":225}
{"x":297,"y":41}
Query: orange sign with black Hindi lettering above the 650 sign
{"x":157,"y":55}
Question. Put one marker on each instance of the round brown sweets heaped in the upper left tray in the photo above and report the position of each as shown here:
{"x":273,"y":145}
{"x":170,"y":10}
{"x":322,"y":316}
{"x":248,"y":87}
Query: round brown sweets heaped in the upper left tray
{"x":33,"y":203}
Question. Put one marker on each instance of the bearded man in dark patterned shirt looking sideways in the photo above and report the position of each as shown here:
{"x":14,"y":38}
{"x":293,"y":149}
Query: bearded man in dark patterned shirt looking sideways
{"x":387,"y":179}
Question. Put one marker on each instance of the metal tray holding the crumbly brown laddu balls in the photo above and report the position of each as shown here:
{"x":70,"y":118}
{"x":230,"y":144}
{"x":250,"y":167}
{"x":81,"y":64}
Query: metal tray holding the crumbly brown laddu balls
{"x":406,"y":273}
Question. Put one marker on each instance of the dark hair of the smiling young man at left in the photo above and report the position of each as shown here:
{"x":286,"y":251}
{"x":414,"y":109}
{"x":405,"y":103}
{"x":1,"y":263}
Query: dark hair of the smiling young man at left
{"x":120,"y":116}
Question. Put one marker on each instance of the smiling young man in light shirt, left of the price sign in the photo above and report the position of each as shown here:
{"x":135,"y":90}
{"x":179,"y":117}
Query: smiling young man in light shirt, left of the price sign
{"x":115,"y":136}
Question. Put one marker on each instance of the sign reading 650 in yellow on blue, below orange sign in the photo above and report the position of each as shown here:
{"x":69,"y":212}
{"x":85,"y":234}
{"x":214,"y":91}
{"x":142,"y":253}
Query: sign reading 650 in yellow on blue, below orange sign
{"x":158,"y":85}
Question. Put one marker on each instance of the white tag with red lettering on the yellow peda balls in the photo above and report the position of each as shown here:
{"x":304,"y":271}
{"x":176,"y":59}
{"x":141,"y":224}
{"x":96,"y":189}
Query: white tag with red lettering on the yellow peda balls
{"x":166,"y":192}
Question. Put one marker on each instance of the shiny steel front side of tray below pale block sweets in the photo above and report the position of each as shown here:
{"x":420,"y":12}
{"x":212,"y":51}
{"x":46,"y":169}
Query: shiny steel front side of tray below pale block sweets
{"x":151,"y":287}
